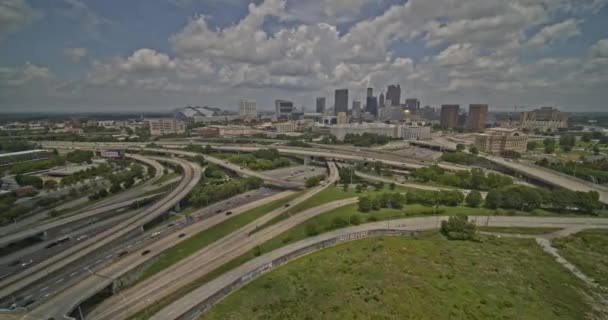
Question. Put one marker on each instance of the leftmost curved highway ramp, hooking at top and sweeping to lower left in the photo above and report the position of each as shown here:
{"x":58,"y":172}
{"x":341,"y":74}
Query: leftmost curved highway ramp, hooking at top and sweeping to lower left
{"x":49,"y":267}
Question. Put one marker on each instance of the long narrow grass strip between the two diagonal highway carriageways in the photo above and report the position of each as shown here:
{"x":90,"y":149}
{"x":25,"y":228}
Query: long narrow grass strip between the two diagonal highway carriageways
{"x":208,"y":236}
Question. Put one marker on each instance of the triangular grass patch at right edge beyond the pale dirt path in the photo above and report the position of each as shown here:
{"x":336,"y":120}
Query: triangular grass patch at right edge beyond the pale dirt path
{"x":588,"y":250}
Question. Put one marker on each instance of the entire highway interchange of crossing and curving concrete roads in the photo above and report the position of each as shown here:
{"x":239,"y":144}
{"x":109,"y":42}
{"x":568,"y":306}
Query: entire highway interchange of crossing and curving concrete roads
{"x":58,"y":284}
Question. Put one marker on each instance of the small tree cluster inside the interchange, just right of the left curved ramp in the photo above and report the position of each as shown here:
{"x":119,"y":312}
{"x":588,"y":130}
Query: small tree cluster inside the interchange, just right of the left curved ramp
{"x":206,"y":194}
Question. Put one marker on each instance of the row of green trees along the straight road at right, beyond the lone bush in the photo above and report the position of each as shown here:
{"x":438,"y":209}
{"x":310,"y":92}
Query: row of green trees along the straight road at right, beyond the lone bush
{"x":524,"y":198}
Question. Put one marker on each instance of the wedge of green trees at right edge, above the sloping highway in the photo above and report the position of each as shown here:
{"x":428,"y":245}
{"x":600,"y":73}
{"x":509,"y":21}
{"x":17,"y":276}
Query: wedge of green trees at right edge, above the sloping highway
{"x":593,"y":171}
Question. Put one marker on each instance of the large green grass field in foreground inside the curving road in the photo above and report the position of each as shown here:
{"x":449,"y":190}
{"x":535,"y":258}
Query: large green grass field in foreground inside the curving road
{"x":405,"y":278}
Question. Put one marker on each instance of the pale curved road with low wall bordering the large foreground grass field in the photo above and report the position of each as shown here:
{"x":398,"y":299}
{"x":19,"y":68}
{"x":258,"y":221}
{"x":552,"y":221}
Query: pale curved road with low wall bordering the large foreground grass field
{"x":194,"y":303}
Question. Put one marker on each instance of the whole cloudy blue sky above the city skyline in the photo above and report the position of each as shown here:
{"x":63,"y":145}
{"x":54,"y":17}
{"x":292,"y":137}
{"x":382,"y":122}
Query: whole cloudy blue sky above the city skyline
{"x":155,"y":55}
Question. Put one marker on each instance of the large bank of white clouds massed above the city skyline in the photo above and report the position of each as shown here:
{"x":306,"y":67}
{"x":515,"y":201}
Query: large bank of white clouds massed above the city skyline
{"x":473,"y":52}
